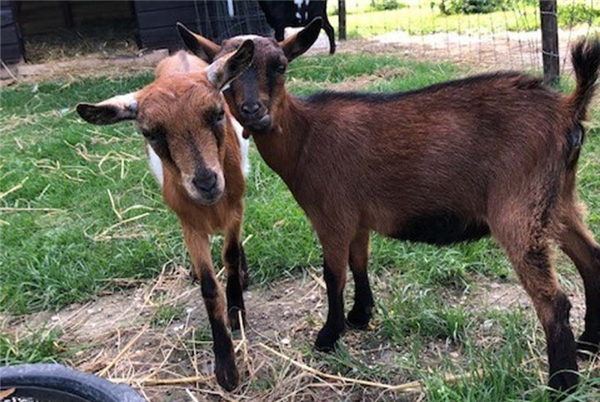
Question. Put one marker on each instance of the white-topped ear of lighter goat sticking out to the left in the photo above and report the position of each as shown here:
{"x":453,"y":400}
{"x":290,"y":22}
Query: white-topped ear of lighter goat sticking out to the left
{"x":110,"y":111}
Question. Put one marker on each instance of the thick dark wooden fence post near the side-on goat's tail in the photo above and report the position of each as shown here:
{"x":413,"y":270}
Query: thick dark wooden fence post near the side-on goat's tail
{"x":548,"y":14}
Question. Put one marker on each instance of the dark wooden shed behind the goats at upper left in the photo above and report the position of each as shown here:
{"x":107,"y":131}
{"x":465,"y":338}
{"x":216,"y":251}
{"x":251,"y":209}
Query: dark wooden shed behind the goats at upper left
{"x":151,"y":23}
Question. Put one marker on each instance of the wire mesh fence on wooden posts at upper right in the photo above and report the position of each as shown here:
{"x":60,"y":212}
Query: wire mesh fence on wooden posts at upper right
{"x":486,"y":33}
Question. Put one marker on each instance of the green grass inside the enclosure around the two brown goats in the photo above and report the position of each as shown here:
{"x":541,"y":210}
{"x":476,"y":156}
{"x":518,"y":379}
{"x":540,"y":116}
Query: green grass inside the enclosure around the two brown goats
{"x":76,"y":250}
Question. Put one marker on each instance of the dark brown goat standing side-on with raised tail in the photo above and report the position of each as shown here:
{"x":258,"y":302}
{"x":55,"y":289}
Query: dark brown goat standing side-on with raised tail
{"x":491,"y":154}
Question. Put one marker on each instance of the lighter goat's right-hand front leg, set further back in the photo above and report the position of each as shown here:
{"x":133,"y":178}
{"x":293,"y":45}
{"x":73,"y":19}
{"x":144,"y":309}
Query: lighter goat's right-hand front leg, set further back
{"x":237,"y":275}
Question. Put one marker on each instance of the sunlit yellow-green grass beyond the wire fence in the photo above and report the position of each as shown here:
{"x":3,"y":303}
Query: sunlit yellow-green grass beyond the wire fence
{"x":421,"y":17}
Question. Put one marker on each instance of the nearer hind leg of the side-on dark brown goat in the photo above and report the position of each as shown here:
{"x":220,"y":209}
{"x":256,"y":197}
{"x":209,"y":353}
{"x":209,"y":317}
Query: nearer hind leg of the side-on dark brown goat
{"x":527,"y":246}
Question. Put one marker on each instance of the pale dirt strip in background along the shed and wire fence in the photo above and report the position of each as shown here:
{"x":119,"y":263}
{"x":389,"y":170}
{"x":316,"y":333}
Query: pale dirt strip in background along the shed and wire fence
{"x":499,"y":51}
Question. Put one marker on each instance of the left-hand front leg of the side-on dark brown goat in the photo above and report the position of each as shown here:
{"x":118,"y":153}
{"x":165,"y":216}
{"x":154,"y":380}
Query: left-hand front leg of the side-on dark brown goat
{"x":335,"y":264}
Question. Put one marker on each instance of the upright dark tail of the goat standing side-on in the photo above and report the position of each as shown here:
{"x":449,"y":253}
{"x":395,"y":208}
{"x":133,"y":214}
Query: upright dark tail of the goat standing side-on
{"x":585,"y":57}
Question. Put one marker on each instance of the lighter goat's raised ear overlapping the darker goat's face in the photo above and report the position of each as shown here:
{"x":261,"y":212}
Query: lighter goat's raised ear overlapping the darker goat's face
{"x":227,"y":68}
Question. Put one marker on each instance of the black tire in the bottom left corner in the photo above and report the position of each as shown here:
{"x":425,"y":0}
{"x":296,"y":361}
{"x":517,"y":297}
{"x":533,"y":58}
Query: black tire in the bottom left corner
{"x":55,"y":382}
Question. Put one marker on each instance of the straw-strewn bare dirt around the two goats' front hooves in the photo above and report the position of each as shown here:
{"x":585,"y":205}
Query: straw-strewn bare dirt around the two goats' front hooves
{"x":119,"y":337}
